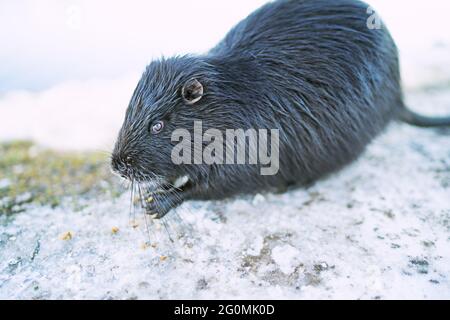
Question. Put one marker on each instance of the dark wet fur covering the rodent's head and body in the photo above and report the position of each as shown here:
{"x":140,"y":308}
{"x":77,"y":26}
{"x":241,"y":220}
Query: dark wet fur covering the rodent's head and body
{"x":311,"y":68}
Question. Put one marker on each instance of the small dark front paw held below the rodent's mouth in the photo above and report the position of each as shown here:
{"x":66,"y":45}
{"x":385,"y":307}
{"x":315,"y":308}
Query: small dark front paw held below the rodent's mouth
{"x":157,"y":205}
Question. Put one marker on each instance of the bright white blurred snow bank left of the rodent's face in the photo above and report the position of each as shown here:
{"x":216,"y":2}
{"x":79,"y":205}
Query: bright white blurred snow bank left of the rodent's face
{"x":74,"y":115}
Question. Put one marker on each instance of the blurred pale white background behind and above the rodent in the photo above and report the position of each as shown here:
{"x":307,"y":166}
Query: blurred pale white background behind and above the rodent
{"x":68,"y":67}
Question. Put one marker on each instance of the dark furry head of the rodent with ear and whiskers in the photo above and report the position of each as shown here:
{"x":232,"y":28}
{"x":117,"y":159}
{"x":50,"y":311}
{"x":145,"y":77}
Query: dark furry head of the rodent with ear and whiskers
{"x":170,"y":95}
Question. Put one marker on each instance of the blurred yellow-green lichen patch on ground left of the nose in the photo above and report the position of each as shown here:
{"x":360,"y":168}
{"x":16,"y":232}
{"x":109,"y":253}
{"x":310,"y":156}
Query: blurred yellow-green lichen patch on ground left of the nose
{"x":31,"y":175}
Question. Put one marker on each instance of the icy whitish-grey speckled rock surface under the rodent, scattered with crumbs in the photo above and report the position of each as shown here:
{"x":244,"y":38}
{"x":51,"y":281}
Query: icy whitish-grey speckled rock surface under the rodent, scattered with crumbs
{"x":378,"y":229}
